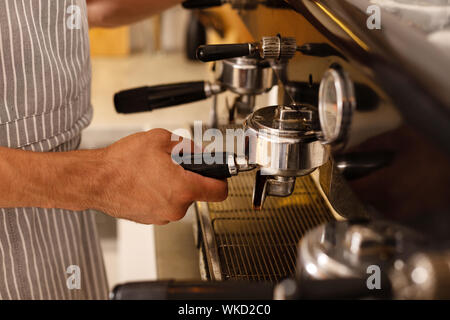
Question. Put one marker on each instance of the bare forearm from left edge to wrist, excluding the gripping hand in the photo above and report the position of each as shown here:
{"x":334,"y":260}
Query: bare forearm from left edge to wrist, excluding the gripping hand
{"x":48,"y":180}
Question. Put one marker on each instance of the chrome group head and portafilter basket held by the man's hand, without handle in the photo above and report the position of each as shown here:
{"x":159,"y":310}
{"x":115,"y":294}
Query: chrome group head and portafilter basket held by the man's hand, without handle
{"x":283,"y":141}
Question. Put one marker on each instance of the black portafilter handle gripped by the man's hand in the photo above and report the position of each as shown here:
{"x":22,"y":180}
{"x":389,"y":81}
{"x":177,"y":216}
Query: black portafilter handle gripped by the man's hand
{"x":199,"y":163}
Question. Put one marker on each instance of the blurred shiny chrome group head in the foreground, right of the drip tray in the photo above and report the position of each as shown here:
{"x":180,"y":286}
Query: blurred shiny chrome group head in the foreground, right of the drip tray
{"x":346,"y":249}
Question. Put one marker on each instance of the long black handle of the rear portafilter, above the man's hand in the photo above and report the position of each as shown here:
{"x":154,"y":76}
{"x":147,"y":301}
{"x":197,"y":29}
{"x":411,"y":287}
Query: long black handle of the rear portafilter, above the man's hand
{"x":162,"y":96}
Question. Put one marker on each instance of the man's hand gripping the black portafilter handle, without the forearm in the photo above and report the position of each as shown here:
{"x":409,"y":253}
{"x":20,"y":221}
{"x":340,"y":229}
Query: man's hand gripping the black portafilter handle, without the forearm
{"x":139,"y":181}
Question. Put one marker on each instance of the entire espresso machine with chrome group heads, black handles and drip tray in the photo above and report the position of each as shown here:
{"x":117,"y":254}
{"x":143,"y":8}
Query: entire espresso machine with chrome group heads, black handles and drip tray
{"x":345,"y":177}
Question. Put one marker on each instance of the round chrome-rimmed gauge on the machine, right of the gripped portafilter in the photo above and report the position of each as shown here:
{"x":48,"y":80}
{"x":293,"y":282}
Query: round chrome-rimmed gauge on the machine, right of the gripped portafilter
{"x":336,"y":105}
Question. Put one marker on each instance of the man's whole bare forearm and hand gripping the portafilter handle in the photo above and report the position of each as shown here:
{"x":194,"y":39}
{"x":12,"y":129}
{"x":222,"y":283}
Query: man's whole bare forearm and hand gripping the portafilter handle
{"x":133,"y":179}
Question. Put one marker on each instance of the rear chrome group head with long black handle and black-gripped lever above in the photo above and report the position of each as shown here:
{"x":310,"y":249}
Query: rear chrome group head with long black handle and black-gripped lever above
{"x":247,"y":70}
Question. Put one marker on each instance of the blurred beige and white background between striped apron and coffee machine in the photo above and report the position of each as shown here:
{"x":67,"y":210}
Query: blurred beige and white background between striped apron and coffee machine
{"x":158,"y":50}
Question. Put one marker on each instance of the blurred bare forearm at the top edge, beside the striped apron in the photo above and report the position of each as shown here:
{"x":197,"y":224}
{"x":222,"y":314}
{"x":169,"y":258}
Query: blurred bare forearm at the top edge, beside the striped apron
{"x":113,"y":13}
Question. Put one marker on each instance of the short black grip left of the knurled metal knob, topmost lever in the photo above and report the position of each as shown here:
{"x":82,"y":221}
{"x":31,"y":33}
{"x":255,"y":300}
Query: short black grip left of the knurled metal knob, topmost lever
{"x":222,"y":51}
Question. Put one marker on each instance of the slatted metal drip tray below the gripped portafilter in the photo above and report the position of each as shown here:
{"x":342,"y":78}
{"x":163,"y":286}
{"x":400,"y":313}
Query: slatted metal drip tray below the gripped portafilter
{"x":242,"y":244}
